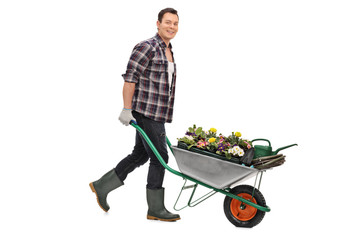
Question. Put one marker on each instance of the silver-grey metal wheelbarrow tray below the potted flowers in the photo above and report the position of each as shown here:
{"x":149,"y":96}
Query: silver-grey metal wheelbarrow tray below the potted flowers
{"x":215,"y":172}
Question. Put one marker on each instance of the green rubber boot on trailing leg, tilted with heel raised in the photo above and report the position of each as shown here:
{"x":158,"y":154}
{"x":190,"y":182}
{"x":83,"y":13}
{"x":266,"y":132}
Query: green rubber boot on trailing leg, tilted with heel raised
{"x":103,"y":186}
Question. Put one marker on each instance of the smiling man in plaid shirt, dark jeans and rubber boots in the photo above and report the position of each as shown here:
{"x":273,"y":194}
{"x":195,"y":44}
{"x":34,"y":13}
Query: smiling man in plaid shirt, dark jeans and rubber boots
{"x":148,"y":94}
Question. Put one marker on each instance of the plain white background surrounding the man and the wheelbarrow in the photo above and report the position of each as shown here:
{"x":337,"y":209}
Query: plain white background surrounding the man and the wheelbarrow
{"x":282,"y":70}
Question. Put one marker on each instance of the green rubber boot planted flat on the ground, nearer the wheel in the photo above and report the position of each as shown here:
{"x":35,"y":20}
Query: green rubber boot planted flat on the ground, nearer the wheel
{"x":157,"y":210}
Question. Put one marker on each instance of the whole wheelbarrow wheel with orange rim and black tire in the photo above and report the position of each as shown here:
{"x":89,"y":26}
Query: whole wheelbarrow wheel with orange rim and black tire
{"x":240,"y":214}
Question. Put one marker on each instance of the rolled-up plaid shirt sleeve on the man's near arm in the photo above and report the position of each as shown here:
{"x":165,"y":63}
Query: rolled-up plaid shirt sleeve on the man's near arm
{"x":139,"y":60}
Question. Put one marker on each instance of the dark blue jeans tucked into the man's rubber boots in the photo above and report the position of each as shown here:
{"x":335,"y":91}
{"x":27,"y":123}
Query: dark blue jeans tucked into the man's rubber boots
{"x":142,"y":152}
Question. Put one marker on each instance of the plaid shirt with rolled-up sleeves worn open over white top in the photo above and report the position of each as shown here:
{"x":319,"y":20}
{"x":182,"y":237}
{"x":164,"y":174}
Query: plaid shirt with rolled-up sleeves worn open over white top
{"x":148,"y":68}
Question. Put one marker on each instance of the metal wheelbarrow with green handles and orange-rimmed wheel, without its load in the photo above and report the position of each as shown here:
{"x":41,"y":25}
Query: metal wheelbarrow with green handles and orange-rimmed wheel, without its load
{"x":244,"y":205}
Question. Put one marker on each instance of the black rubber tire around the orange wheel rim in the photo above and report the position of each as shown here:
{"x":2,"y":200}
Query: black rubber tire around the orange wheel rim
{"x":260,"y":200}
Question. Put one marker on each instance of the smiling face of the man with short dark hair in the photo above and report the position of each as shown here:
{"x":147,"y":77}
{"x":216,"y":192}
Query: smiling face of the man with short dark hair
{"x":168,"y":26}
